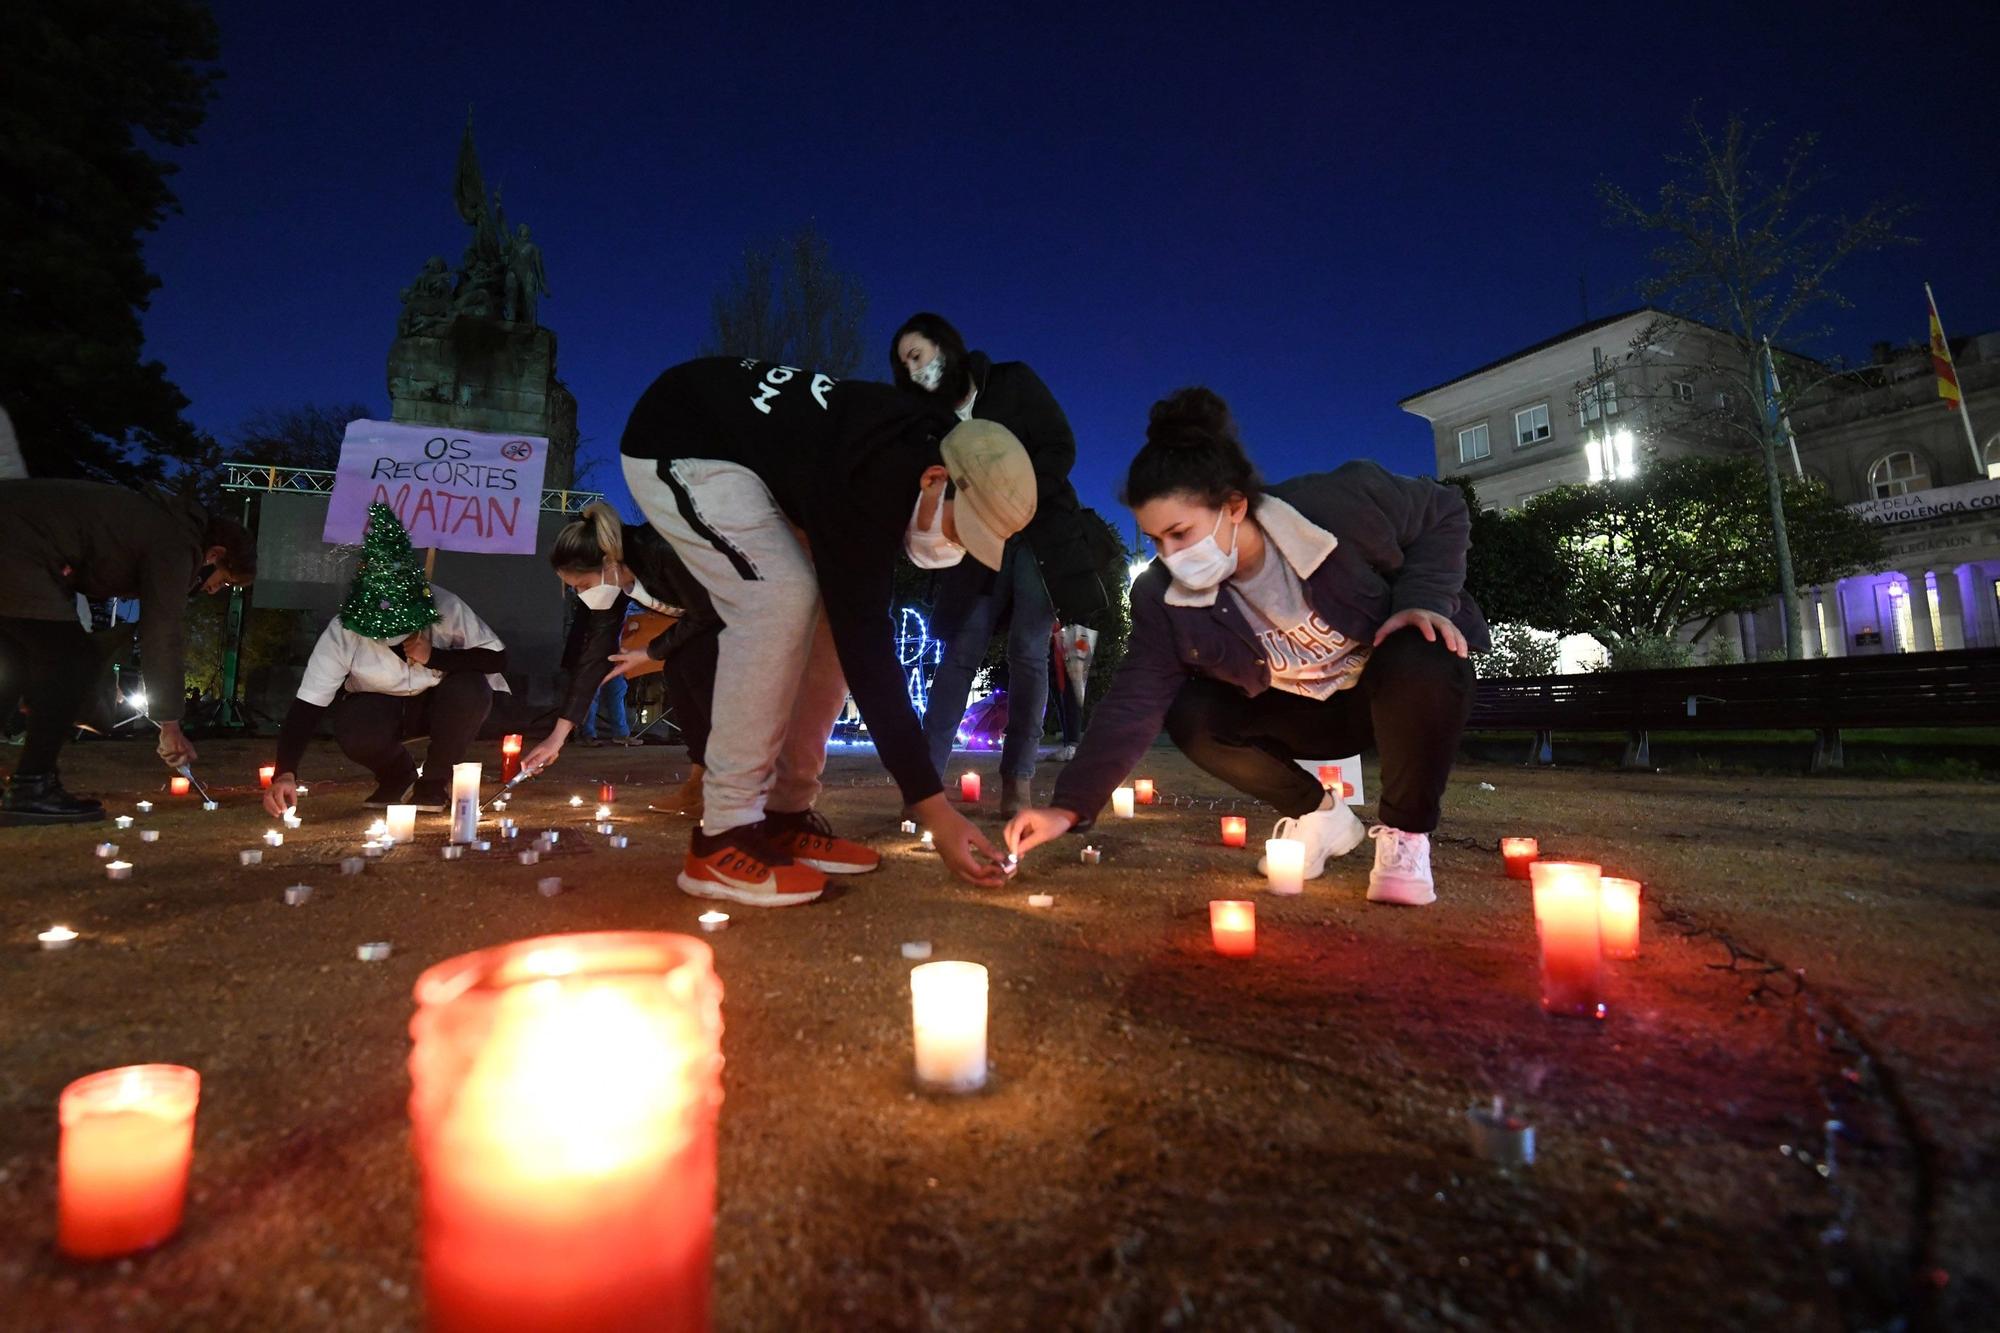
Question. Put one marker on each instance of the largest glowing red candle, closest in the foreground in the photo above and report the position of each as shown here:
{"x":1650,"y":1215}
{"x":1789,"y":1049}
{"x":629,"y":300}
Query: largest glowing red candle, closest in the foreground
{"x":563,"y":1106}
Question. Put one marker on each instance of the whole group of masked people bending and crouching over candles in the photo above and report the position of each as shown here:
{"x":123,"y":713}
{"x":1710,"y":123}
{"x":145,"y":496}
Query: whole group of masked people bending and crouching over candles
{"x":1281,"y":621}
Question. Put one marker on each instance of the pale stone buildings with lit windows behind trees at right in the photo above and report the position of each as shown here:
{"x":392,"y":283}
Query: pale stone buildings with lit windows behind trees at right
{"x":1597,"y":401}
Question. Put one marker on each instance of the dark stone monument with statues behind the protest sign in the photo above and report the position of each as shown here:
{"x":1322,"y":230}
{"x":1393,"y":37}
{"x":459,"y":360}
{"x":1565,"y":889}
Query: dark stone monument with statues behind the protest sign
{"x":469,"y":347}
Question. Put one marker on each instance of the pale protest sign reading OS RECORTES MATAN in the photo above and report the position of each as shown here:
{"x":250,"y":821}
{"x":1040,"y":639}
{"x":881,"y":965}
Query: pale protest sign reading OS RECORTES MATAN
{"x":451,"y":489}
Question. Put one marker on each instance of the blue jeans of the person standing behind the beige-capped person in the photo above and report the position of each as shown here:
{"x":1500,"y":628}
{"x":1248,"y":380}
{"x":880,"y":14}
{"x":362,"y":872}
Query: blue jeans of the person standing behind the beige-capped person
{"x":1021,"y":599}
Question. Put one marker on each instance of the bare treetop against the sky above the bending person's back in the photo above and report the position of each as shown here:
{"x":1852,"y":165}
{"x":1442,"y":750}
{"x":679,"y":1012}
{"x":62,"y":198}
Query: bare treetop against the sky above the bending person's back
{"x":789,"y":303}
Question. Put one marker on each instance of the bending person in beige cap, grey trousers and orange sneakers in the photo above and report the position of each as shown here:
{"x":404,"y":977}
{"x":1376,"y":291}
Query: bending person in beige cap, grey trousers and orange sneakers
{"x":793,"y":497}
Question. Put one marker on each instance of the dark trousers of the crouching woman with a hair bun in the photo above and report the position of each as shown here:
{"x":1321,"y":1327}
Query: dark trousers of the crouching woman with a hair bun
{"x":1411,"y":706}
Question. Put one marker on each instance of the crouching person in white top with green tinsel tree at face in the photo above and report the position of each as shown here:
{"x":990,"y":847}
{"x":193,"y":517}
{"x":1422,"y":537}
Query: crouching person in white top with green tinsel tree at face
{"x":413,"y":659}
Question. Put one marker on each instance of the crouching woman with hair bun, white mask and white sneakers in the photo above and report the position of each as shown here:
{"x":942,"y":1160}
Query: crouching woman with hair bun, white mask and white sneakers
{"x":1321,"y":615}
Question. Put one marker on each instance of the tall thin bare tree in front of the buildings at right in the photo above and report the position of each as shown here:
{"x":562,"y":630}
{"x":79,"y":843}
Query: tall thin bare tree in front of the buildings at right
{"x":1741,"y":251}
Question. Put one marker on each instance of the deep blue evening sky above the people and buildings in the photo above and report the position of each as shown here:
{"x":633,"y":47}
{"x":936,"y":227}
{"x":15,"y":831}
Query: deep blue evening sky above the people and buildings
{"x":1313,"y":215}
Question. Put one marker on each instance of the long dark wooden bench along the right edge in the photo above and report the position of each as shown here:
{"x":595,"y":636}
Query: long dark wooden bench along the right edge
{"x":1821,"y":696}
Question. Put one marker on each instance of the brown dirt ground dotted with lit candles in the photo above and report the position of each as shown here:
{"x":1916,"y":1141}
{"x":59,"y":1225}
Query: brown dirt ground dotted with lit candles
{"x":1173,"y":1140}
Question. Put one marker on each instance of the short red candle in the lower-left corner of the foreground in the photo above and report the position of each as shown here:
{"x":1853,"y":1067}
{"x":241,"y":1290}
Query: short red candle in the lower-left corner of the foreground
{"x":123,"y":1168}
